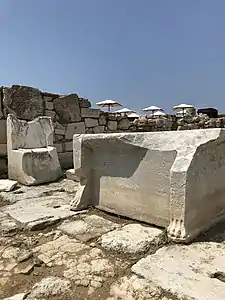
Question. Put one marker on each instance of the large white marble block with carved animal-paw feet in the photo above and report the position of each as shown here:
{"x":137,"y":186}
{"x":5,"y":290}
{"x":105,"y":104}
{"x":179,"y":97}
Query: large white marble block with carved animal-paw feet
{"x":171,"y":179}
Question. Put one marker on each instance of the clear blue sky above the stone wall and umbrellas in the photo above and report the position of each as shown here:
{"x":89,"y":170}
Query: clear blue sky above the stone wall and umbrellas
{"x":139,"y":52}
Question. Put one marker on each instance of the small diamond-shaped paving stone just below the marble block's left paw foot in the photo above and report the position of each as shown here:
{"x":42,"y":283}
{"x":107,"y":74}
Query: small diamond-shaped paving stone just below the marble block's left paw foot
{"x":88,"y":228}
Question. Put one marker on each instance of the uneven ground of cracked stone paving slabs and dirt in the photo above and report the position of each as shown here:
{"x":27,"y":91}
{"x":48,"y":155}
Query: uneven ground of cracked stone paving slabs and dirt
{"x":49,"y":252}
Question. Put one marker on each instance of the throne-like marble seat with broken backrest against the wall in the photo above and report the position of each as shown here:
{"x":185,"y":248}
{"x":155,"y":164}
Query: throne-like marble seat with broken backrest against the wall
{"x":32,"y":158}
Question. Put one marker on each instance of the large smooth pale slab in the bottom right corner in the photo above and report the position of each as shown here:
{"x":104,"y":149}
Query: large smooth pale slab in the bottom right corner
{"x":195,"y":272}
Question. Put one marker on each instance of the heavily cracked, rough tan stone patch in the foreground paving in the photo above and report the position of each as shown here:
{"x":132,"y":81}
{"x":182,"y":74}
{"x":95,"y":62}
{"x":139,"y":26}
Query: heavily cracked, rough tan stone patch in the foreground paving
{"x":84,"y":265}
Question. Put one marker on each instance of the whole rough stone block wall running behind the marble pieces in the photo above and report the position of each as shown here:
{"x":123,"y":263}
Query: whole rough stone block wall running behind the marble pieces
{"x":72,"y":114}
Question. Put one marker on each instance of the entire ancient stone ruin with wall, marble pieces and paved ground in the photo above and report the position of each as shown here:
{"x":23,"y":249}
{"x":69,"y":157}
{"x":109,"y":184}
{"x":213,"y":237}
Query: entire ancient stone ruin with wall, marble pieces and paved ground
{"x":89,"y":232}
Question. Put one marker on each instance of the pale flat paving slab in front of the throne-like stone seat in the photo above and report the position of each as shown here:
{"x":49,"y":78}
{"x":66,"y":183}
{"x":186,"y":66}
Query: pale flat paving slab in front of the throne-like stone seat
{"x":39,"y":207}
